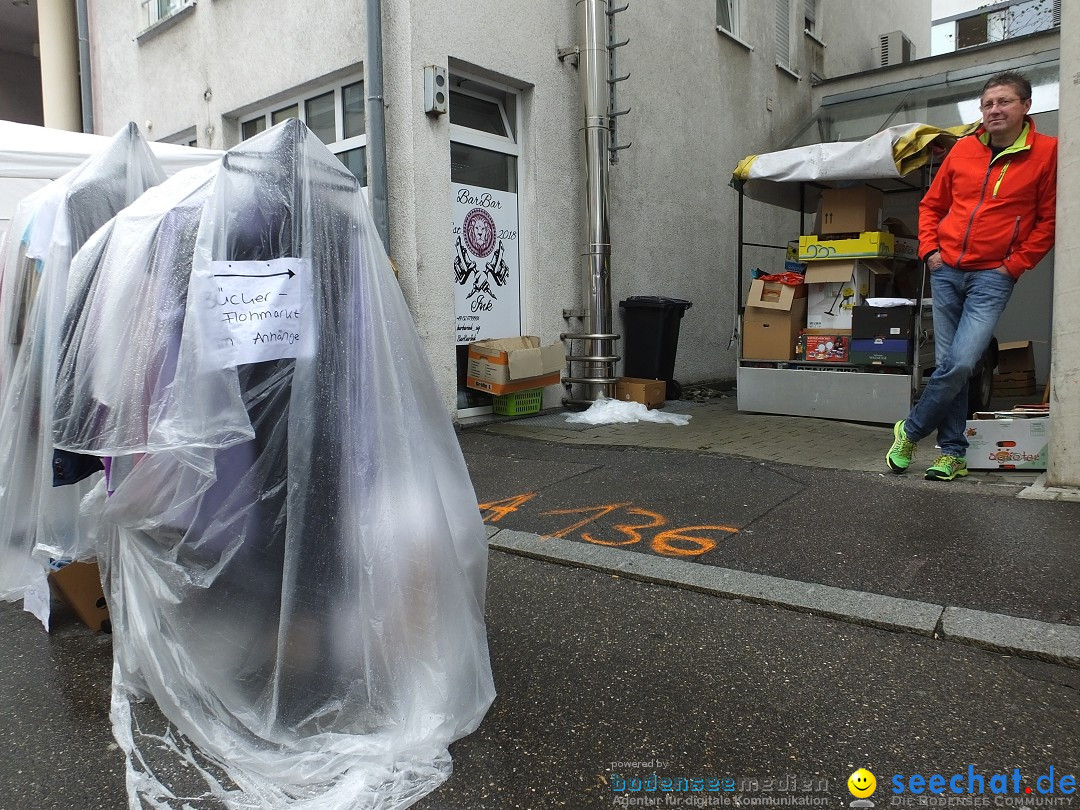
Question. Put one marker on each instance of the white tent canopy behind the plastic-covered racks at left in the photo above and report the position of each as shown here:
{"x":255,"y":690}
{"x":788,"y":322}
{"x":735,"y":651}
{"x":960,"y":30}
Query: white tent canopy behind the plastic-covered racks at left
{"x":33,"y":156}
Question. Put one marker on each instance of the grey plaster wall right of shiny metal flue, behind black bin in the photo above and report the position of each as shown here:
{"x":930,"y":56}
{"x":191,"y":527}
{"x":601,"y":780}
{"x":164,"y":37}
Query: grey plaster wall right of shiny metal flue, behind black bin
{"x":700,"y":102}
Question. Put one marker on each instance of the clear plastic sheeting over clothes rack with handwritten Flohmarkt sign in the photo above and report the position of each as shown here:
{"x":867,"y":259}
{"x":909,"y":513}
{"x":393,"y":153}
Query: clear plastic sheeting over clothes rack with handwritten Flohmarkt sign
{"x":295,"y":561}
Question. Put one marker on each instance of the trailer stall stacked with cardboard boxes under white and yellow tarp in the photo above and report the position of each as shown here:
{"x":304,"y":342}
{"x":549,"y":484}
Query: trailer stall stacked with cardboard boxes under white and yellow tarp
{"x":817,"y":349}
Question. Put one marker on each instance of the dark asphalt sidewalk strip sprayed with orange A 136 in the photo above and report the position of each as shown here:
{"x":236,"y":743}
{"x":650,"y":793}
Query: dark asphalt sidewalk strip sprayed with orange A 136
{"x":859,"y":531}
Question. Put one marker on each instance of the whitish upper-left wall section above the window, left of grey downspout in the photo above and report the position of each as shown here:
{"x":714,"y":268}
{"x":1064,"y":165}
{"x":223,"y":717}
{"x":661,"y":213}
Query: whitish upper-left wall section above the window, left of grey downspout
{"x":245,"y":52}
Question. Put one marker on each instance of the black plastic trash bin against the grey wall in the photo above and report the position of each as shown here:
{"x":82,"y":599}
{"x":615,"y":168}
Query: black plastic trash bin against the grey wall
{"x":651,"y":325}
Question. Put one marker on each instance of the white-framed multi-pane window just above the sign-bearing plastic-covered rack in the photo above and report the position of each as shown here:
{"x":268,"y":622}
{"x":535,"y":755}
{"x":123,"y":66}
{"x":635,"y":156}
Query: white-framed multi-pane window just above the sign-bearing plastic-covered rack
{"x":335,"y":115}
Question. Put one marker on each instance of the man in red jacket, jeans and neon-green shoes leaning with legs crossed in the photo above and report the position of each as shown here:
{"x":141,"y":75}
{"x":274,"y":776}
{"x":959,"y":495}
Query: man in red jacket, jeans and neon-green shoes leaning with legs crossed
{"x":988,"y":219}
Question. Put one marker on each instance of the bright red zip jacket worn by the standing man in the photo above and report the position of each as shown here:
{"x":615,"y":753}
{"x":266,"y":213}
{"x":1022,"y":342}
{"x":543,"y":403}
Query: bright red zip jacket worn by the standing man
{"x":982,"y":213}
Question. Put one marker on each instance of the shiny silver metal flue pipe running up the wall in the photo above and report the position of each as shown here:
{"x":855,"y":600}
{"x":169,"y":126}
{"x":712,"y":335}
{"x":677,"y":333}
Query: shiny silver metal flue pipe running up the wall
{"x":593,"y":72}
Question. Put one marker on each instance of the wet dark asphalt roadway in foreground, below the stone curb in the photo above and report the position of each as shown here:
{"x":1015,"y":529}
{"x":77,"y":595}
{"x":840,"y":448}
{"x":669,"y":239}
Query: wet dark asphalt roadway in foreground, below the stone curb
{"x":602,"y":679}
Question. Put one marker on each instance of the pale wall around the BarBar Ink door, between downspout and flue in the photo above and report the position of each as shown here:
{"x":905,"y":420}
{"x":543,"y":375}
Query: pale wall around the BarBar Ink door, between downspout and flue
{"x":479,"y":38}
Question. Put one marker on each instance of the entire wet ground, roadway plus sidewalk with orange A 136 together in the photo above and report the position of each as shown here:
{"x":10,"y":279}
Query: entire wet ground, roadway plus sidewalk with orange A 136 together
{"x":605,"y":679}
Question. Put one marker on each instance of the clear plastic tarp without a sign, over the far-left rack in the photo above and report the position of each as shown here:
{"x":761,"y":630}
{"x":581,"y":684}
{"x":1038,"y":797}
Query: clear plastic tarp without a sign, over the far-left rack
{"x":39,"y":522}
